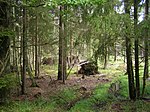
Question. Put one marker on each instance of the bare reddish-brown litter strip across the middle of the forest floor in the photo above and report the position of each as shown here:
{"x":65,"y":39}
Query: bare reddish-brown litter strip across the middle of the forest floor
{"x":48,"y":85}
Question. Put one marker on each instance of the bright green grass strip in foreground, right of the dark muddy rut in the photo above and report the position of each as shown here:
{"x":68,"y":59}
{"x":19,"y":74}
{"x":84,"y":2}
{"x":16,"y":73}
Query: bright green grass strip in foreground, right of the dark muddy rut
{"x":100,"y":95}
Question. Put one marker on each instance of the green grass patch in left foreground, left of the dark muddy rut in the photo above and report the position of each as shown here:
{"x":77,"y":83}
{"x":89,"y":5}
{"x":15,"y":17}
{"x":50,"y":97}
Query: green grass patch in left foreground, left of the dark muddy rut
{"x":53,"y":104}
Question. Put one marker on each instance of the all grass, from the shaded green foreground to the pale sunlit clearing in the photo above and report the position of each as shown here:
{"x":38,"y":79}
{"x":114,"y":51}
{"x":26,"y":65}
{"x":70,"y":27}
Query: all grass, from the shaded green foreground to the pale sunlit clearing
{"x":101,"y":99}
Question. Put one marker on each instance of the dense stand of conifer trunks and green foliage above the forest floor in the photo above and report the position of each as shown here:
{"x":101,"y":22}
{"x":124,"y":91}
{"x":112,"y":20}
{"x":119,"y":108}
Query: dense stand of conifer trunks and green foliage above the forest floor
{"x":63,"y":35}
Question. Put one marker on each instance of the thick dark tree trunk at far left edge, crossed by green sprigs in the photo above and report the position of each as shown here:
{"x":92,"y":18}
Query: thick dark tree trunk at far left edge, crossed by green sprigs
{"x":4,"y":40}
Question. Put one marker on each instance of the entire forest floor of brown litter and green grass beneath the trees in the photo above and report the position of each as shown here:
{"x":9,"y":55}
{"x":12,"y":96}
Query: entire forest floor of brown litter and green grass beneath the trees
{"x":95,"y":93}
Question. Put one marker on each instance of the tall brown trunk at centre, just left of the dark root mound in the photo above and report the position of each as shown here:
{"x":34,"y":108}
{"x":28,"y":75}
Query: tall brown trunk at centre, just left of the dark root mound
{"x":62,"y":45}
